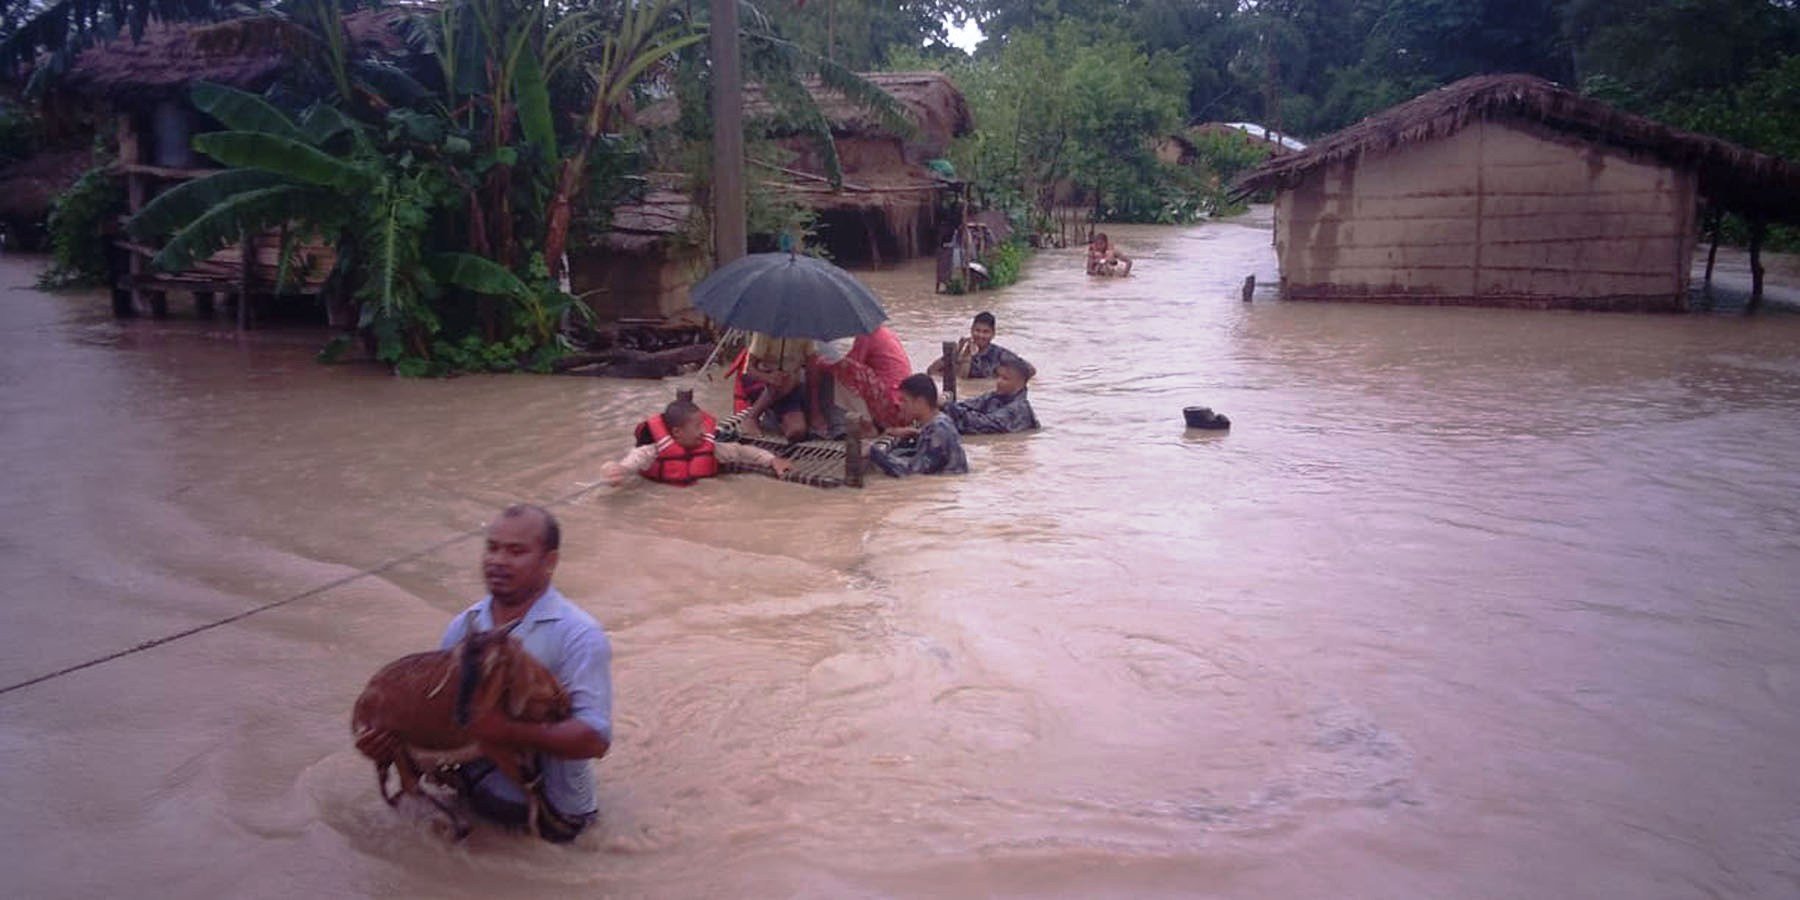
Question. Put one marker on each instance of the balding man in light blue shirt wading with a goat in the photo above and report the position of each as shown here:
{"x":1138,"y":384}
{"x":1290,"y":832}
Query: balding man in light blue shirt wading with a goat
{"x":517,"y":568}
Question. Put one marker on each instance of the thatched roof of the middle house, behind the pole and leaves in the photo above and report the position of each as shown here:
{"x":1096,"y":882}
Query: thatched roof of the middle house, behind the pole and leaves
{"x":930,"y":98}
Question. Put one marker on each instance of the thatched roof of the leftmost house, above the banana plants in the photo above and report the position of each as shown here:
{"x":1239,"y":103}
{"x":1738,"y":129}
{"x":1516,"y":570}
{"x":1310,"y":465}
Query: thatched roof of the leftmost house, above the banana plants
{"x":247,"y":53}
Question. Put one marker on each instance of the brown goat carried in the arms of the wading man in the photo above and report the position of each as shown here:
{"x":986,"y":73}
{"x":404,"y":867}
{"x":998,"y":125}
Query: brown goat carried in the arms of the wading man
{"x":427,"y":701}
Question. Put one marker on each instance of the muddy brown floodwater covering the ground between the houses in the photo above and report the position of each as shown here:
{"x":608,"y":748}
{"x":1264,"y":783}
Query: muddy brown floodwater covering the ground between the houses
{"x":1468,"y":604}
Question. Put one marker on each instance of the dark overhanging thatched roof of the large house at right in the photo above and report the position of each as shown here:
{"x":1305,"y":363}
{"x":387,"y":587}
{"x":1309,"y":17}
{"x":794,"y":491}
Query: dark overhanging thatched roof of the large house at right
{"x":1734,"y":177}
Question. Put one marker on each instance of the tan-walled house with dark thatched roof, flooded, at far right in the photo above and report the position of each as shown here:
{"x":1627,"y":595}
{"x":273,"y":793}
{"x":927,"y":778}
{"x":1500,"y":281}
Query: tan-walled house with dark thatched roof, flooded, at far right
{"x":1509,"y":192}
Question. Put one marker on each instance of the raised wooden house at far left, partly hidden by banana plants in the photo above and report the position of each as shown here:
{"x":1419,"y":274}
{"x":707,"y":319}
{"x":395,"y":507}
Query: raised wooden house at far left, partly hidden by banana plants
{"x":145,"y":87}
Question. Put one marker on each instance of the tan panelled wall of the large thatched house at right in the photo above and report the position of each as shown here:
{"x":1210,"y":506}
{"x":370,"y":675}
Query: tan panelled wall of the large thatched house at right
{"x":1497,"y":217}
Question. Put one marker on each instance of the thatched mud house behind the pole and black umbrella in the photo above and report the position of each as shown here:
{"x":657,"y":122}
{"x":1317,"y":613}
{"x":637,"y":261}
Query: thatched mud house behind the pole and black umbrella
{"x":888,"y":206}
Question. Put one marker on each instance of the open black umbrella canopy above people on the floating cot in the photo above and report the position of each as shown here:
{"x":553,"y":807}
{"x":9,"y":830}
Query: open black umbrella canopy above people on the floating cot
{"x":789,"y":296}
